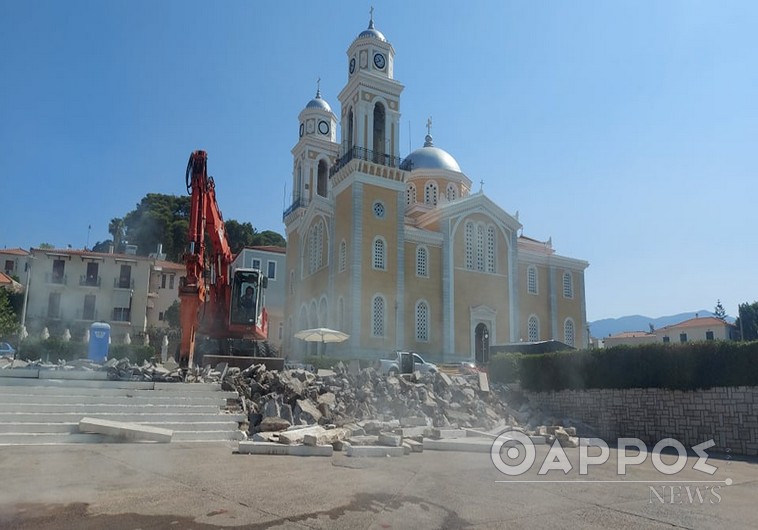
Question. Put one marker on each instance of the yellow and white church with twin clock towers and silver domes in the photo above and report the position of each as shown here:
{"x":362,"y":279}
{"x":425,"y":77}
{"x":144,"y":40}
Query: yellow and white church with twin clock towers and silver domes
{"x":400,"y":253}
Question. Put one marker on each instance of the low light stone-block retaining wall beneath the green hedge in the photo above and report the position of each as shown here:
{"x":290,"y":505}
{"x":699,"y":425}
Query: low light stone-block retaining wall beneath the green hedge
{"x":728,"y":415}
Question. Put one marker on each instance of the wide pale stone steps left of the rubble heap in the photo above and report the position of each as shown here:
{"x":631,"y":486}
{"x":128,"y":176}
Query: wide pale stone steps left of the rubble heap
{"x":42,"y":411}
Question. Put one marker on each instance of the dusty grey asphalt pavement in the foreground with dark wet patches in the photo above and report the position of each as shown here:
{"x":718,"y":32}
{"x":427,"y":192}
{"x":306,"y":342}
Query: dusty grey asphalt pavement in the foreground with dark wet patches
{"x":203,"y":486}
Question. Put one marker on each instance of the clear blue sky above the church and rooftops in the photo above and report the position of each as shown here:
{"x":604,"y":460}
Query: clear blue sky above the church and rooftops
{"x":626,"y":130}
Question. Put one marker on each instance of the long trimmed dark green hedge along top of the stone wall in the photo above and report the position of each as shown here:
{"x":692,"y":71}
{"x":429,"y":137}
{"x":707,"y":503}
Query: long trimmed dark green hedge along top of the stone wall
{"x":683,"y":367}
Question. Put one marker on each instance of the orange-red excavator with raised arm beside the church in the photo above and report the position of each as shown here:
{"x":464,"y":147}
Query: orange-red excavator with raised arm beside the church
{"x":221,"y":312}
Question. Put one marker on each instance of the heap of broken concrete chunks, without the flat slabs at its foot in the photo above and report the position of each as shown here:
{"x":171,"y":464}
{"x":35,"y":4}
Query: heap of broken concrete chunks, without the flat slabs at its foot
{"x":276,"y":400}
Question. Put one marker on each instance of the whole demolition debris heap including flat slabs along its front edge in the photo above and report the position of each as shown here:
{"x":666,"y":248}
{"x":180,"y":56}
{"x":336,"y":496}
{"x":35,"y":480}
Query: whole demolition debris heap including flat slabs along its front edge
{"x":364,"y":413}
